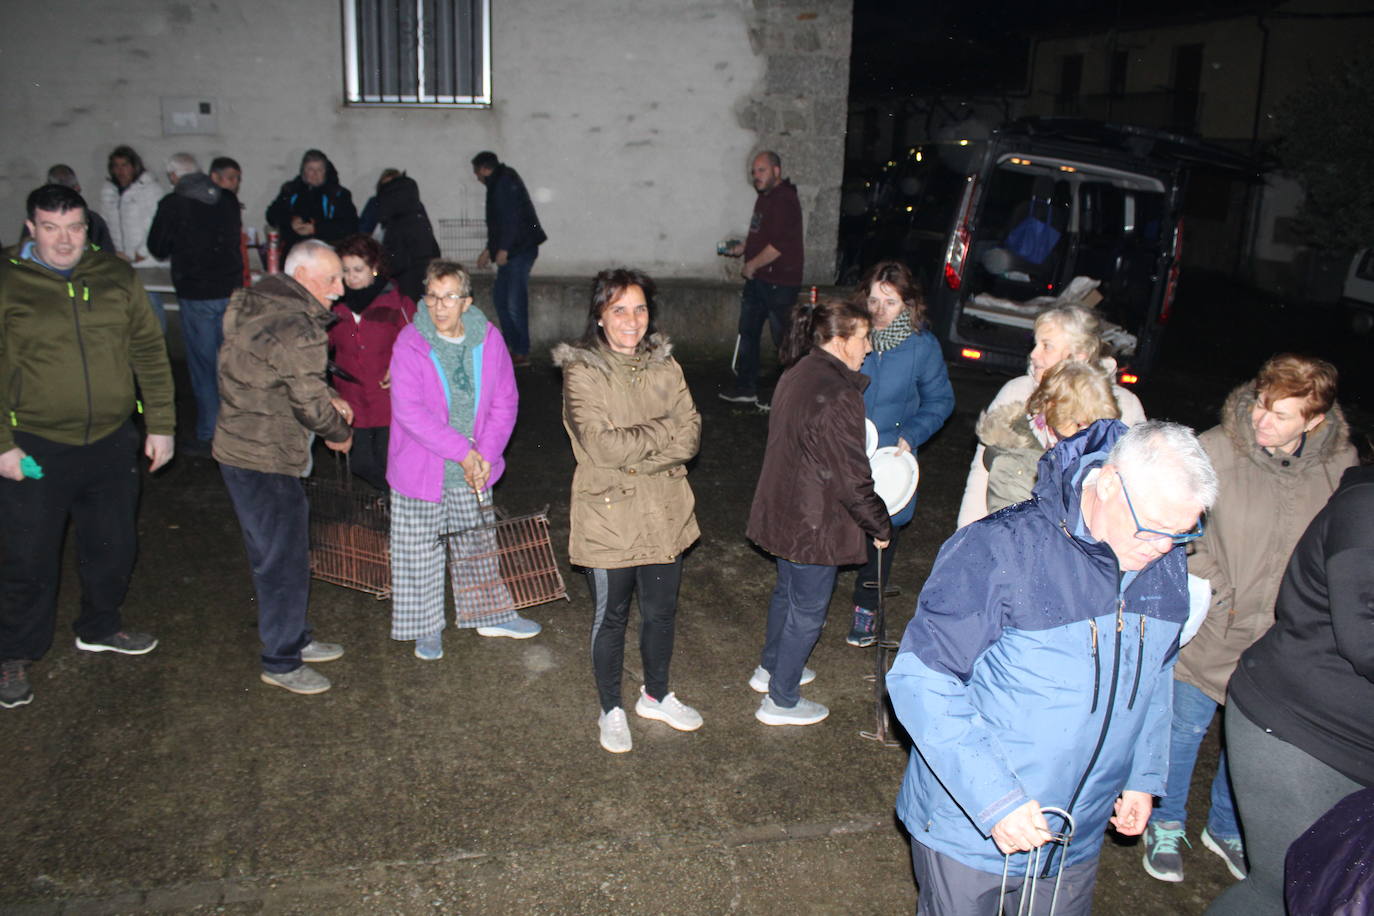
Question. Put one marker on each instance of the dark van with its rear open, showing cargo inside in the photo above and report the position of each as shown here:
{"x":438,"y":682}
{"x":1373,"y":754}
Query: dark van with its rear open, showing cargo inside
{"x":1052,"y":200}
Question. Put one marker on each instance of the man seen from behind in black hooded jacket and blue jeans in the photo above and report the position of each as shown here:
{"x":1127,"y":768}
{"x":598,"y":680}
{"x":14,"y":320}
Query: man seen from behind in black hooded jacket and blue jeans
{"x":199,"y":229}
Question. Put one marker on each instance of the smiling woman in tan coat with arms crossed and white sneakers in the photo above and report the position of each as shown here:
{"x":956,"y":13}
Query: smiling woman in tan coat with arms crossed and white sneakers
{"x":634,"y":428}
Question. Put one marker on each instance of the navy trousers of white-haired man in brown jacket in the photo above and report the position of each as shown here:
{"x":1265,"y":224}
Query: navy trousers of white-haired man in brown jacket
{"x":275,"y":520}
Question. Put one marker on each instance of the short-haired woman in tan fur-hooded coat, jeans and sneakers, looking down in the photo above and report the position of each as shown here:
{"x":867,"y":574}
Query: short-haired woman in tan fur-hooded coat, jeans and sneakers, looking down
{"x":1279,"y":454}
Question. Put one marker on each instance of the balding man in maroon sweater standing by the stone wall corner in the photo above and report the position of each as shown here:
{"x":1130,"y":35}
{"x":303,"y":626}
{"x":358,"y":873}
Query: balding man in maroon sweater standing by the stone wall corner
{"x":774,"y":262}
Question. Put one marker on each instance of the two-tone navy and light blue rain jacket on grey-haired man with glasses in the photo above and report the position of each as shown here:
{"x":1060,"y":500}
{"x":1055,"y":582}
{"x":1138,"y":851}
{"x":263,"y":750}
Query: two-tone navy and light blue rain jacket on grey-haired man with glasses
{"x":1030,"y":672}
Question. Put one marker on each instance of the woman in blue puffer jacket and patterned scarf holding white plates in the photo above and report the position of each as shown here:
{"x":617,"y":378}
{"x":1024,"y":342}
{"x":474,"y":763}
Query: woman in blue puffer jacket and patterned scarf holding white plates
{"x":909,"y":398}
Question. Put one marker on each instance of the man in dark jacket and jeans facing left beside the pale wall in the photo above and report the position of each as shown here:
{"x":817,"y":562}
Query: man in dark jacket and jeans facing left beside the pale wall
{"x":513,"y":240}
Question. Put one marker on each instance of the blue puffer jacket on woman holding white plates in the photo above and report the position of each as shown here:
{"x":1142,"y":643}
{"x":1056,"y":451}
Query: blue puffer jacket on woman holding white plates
{"x":909,"y":396}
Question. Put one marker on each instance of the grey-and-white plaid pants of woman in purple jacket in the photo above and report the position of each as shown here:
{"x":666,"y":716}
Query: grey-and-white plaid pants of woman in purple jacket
{"x":418,"y":558}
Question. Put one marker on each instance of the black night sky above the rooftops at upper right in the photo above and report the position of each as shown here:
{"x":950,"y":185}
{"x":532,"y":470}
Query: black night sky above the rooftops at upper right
{"x":982,"y":46}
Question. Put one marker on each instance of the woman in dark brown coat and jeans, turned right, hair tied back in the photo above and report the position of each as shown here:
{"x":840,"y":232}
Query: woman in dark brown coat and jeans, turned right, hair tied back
{"x":814,"y":507}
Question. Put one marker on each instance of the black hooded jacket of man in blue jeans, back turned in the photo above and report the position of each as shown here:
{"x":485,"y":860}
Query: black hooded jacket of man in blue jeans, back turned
{"x":199,"y":229}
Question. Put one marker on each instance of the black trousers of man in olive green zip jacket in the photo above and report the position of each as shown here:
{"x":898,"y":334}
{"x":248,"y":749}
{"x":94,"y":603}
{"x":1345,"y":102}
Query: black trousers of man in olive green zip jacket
{"x":98,"y":488}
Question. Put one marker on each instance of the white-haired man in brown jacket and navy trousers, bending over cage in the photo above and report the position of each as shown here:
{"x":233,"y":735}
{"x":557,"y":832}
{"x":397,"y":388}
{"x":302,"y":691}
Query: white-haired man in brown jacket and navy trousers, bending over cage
{"x":273,"y":399}
